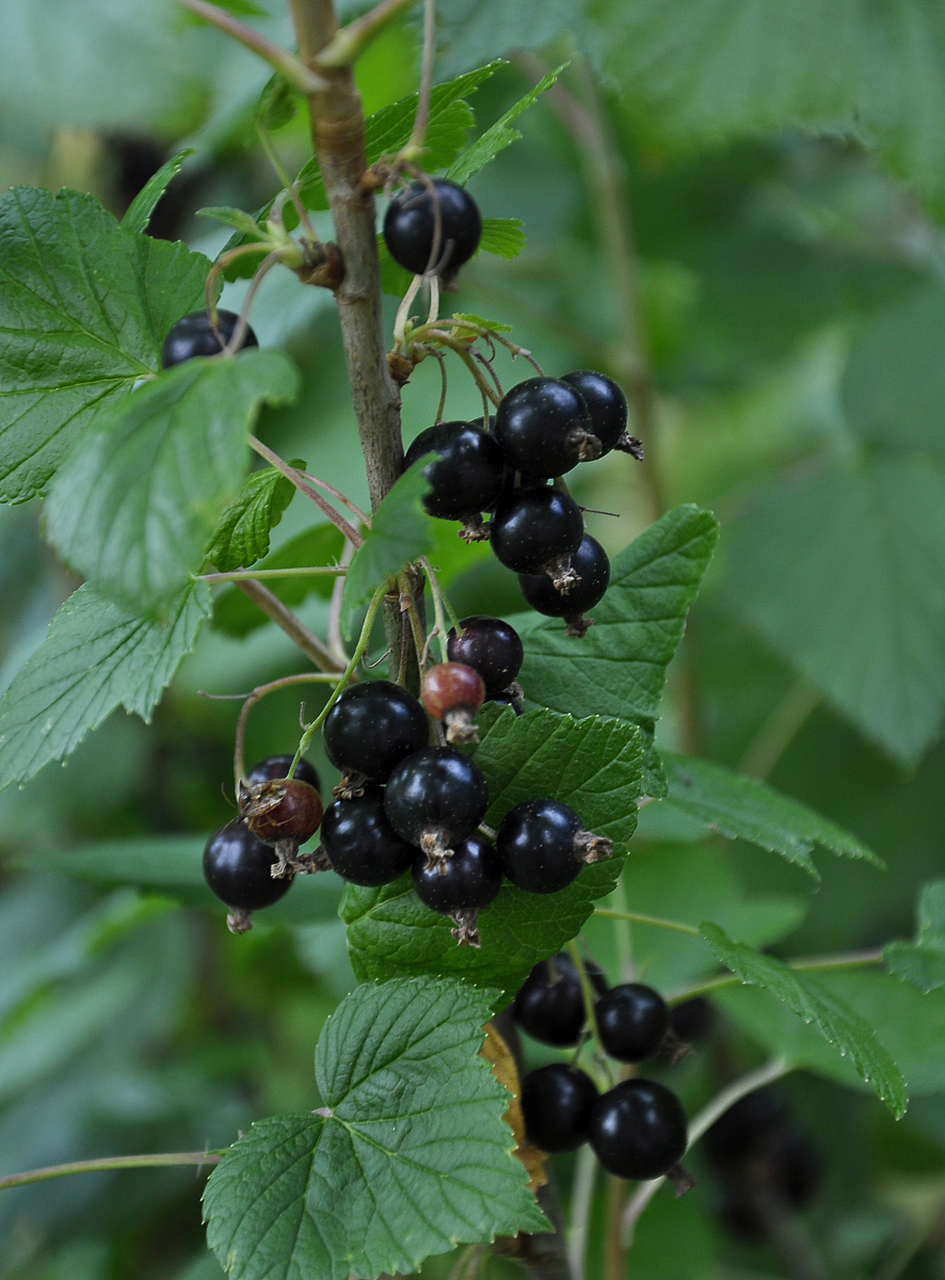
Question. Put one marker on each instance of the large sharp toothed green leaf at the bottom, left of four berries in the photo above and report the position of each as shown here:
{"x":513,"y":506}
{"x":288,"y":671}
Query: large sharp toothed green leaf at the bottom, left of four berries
{"x":408,"y":1158}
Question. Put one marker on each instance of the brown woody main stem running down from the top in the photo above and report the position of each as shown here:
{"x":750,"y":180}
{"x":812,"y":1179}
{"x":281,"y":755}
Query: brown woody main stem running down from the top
{"x":337,"y":131}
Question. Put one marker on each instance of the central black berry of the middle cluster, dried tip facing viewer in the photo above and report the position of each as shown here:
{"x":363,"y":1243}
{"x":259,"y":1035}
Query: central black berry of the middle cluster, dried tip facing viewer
{"x":435,"y":799}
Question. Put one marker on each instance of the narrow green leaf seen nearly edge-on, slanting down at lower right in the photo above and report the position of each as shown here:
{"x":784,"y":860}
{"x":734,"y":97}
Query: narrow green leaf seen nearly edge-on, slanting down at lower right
{"x":841,"y":1026}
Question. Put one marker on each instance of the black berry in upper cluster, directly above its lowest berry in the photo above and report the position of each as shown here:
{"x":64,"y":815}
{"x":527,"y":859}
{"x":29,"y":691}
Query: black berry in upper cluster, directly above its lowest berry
{"x":535,"y":527}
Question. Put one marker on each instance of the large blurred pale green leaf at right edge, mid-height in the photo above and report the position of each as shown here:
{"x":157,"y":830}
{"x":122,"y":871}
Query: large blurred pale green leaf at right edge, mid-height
{"x":844,"y":577}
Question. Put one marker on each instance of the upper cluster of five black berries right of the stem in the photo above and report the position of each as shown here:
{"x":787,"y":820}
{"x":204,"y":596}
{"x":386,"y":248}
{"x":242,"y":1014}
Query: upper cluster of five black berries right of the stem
{"x":544,"y":428}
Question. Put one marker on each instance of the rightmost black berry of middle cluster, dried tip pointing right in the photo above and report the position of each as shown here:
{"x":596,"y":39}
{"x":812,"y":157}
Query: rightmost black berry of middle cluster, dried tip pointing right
{"x":536,"y":843}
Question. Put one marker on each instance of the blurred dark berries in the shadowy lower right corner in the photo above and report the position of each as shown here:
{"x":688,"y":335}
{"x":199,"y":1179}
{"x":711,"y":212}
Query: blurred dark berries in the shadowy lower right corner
{"x":768,"y":1167}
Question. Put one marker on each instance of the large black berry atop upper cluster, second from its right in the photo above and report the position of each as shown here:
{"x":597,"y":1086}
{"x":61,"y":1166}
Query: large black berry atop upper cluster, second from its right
{"x":545,"y":428}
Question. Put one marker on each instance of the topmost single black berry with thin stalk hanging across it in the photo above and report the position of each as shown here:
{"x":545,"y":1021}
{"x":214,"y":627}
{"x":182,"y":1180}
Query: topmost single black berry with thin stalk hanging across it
{"x":410,"y":227}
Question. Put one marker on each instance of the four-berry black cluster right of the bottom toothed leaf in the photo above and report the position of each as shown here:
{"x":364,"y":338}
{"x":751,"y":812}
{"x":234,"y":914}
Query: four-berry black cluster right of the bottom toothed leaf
{"x":637,"y":1130}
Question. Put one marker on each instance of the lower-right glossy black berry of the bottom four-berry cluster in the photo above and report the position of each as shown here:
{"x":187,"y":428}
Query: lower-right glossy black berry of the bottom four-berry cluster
{"x":638,"y":1130}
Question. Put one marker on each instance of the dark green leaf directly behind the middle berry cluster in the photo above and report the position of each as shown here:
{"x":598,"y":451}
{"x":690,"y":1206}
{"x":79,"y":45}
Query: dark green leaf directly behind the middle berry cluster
{"x":592,"y":765}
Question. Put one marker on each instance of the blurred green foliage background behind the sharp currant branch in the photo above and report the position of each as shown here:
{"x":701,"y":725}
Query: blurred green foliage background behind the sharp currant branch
{"x":747,"y":237}
